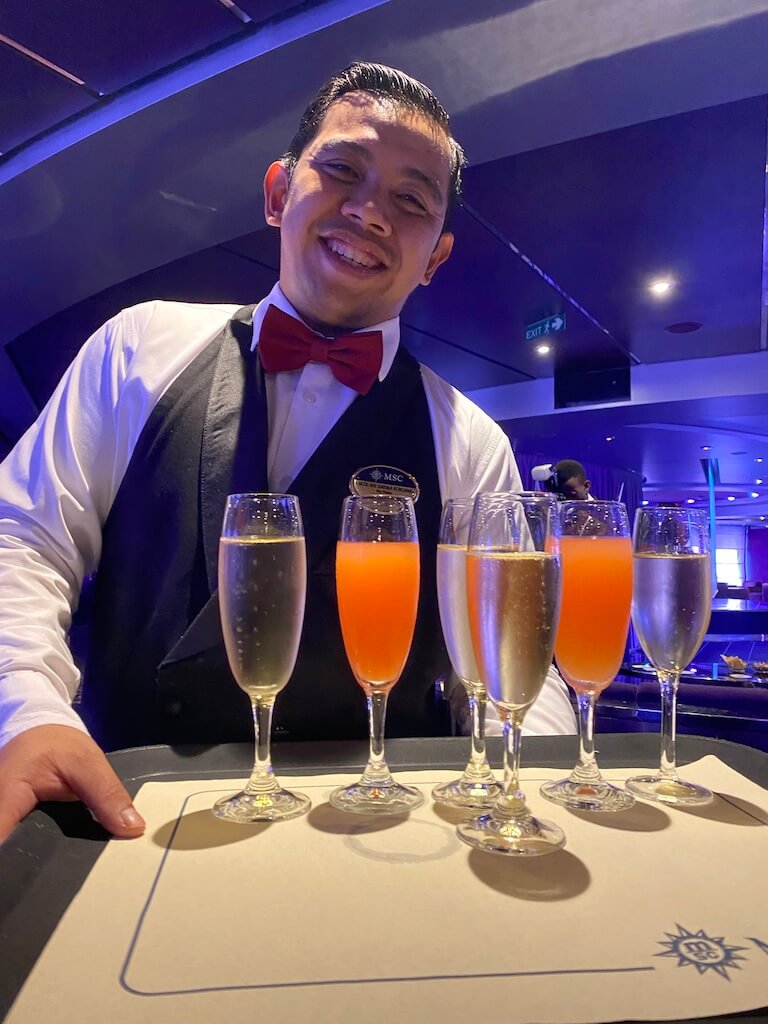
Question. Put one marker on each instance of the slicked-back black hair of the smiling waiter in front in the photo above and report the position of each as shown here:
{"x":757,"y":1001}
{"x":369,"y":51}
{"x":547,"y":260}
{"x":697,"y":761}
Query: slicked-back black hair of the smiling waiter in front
{"x":385,"y":83}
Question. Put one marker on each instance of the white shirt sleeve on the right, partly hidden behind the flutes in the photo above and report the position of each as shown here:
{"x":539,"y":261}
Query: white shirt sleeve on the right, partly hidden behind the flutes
{"x":475,"y":455}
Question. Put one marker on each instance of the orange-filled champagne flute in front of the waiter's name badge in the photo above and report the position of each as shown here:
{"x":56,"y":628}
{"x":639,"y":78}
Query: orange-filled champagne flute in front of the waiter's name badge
{"x":377,"y":582}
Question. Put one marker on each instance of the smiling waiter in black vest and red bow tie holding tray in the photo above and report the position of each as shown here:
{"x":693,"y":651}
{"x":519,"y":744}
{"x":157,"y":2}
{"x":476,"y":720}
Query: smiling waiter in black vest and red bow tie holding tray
{"x":170,"y":407}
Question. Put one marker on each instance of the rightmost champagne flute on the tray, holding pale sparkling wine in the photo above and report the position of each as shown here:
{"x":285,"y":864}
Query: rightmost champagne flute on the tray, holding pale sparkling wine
{"x":671,"y":610}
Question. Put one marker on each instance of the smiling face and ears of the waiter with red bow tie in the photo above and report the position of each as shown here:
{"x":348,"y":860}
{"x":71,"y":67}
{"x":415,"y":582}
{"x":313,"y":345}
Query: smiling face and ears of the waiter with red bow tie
{"x":362,"y":217}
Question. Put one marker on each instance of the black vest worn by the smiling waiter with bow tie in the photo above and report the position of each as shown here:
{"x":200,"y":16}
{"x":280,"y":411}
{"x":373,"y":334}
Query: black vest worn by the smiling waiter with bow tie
{"x":157,"y":670}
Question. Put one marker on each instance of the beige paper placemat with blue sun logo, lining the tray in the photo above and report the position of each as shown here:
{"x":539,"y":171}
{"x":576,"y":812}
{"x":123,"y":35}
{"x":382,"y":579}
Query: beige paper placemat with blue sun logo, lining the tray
{"x":650,"y":915}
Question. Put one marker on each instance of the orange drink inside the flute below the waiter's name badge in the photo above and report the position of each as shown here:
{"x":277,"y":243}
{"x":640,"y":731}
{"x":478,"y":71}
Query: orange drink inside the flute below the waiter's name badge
{"x":378,"y":591}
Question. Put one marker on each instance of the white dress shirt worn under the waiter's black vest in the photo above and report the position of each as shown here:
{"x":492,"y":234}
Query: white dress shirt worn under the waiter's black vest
{"x":59,"y":484}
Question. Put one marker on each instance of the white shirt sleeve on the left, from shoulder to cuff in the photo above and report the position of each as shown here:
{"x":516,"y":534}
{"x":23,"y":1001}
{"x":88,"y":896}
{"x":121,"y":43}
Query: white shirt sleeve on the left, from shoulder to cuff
{"x":58,"y":487}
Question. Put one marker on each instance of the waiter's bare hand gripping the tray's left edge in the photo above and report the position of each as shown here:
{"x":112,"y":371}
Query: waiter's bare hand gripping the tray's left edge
{"x":57,"y":762}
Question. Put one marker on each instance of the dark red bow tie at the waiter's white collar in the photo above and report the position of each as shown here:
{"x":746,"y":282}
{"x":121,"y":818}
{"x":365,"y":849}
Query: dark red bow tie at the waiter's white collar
{"x":286,"y":344}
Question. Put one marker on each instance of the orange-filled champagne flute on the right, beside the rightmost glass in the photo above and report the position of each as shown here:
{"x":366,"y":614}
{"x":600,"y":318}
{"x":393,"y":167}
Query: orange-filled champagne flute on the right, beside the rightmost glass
{"x":596,"y":563}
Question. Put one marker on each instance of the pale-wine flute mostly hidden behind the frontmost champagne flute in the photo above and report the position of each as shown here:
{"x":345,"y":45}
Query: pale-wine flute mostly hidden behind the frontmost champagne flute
{"x":477,"y":788}
